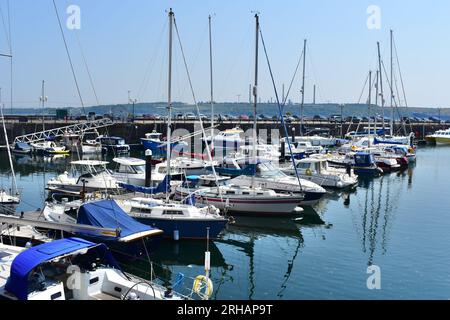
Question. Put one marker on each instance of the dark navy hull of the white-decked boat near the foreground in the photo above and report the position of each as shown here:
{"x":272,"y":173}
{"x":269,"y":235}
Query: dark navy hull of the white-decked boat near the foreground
{"x":193,"y":229}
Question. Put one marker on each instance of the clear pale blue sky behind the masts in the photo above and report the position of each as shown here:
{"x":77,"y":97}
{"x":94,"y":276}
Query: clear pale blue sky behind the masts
{"x":125,"y":44}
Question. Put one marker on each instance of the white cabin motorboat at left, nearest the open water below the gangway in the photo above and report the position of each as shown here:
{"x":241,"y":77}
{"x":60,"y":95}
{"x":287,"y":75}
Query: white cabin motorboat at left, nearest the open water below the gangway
{"x":94,"y":177}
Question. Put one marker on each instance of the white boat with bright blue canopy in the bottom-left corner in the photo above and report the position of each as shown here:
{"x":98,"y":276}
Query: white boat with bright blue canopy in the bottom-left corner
{"x":71,"y":269}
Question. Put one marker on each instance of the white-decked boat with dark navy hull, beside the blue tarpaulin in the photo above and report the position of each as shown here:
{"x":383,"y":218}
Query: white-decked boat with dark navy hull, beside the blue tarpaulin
{"x":178,"y":221}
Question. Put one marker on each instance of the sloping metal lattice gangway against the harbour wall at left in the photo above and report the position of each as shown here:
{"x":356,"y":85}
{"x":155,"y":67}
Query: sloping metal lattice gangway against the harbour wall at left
{"x":78,"y":128}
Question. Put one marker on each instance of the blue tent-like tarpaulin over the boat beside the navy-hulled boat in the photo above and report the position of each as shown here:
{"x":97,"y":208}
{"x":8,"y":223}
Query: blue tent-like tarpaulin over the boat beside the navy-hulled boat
{"x":108,"y":214}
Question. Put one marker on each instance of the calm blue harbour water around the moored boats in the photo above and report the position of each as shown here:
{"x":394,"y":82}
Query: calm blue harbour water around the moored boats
{"x":399,"y":222}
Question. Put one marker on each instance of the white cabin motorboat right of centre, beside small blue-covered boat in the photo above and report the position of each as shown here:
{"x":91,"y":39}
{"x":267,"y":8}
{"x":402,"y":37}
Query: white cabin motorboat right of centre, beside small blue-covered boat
{"x":318,"y":171}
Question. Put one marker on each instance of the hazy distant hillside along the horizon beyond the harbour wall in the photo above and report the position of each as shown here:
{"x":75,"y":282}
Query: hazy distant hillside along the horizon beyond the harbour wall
{"x":269,"y":109}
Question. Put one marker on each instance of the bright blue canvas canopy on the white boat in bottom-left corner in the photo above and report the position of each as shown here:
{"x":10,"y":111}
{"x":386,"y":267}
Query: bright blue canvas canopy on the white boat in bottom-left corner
{"x":29,"y":259}
